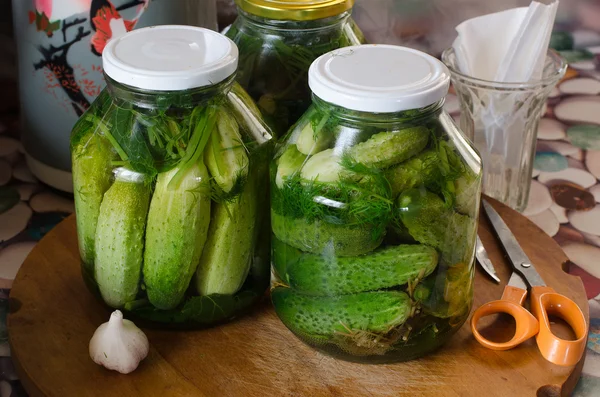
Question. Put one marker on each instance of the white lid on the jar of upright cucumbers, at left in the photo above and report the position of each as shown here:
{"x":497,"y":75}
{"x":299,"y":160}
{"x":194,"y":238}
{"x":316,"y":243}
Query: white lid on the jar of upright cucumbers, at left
{"x":170,"y":58}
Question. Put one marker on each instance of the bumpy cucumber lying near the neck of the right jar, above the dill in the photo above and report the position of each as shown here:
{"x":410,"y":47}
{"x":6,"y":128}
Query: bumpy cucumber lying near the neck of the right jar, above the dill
{"x":385,"y":149}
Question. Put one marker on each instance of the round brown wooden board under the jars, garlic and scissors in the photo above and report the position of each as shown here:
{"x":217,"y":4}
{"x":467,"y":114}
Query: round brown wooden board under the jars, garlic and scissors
{"x":53,"y":317}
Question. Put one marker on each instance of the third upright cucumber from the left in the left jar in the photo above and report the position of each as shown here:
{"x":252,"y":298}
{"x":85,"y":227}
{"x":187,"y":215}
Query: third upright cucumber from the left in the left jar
{"x":177,"y":229}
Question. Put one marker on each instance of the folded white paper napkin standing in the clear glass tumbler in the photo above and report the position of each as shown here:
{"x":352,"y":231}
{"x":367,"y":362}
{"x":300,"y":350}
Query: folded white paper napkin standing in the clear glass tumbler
{"x":507,"y":46}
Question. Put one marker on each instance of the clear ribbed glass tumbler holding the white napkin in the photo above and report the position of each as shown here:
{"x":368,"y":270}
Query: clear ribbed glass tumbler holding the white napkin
{"x":501,"y":119}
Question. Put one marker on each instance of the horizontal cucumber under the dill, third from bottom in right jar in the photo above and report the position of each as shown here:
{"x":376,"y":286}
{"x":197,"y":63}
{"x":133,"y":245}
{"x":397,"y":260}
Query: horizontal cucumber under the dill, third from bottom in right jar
{"x":321,"y":237}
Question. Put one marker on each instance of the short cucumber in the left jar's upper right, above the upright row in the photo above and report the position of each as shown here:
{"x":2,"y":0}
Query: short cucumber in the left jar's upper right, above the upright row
{"x":225,"y":153}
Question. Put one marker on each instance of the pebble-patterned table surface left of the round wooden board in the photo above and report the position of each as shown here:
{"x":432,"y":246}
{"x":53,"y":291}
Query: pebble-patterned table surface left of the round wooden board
{"x":28,"y":210}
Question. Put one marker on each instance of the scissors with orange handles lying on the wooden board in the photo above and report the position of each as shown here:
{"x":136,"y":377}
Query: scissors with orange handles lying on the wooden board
{"x":544,"y":302}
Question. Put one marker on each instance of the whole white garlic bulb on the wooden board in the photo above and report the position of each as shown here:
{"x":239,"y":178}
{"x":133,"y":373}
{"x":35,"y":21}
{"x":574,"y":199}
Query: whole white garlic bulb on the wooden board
{"x":118,"y":344}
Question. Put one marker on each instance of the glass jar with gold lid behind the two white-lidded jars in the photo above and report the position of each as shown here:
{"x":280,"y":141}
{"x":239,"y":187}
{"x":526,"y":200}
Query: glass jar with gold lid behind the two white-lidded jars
{"x":278,"y":40}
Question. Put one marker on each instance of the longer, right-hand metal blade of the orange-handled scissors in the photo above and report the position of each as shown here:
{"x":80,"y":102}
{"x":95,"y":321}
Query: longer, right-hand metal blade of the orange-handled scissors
{"x":520,"y":261}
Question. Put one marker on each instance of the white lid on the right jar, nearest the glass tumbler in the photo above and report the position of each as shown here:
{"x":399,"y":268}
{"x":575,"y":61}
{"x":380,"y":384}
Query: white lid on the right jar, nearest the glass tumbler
{"x":379,"y":78}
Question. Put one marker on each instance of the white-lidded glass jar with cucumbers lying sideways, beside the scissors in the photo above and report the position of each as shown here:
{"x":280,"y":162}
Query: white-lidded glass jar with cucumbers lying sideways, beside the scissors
{"x":374,"y":209}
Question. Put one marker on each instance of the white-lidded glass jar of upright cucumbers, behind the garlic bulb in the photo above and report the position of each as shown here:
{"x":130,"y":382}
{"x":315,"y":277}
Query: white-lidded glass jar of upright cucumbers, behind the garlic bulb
{"x":170,"y":164}
